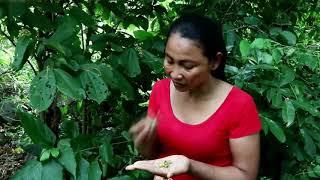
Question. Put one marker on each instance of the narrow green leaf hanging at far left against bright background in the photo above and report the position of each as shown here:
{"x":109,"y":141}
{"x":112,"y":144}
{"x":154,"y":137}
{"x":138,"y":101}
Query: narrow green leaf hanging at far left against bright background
{"x":22,"y":52}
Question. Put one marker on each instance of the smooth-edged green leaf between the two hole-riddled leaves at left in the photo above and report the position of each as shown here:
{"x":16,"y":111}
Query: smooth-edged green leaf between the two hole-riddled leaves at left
{"x":69,"y":85}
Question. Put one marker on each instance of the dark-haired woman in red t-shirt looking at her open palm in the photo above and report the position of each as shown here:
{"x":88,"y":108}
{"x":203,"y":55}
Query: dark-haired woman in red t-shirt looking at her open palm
{"x":198,"y":125}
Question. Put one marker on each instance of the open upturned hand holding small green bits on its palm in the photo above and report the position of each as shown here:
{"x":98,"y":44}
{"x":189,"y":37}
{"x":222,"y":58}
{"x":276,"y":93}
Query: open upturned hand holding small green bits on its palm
{"x":165,"y":167}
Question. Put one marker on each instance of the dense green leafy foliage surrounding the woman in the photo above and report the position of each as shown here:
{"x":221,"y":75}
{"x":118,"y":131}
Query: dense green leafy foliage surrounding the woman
{"x":76,"y":74}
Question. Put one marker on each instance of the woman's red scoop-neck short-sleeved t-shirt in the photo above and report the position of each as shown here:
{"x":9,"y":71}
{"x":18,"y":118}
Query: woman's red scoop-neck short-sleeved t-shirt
{"x":208,"y":141}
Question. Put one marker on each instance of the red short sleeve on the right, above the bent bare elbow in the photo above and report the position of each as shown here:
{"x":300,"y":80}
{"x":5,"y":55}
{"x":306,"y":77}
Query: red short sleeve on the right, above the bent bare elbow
{"x":248,"y":121}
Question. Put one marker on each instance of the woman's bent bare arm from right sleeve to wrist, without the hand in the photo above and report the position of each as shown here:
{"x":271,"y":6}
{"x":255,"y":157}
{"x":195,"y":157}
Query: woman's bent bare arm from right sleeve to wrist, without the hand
{"x":245,"y":156}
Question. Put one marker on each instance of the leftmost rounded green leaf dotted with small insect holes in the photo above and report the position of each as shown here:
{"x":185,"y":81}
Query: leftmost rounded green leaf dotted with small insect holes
{"x":42,"y":90}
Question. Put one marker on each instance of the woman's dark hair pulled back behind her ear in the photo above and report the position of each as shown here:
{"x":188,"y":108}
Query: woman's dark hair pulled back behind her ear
{"x":205,"y":32}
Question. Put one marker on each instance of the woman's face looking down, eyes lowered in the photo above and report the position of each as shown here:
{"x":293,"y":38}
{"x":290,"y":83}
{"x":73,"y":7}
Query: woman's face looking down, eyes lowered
{"x":184,"y":61}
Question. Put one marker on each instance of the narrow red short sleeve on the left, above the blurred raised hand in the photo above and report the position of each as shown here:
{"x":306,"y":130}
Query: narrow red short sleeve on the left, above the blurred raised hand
{"x":153,"y":106}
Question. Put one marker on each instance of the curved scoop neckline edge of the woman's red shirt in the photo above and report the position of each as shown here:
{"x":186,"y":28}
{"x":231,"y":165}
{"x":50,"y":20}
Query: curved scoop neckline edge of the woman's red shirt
{"x":205,"y":121}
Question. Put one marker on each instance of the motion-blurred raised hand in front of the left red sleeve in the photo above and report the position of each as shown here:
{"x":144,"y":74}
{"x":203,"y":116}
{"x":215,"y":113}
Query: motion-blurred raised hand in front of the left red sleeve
{"x":144,"y":136}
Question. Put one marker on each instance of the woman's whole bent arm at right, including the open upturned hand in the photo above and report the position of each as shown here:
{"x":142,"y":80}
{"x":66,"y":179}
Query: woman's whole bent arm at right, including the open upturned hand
{"x":245,"y":154}
